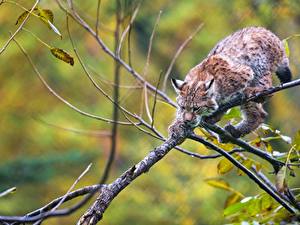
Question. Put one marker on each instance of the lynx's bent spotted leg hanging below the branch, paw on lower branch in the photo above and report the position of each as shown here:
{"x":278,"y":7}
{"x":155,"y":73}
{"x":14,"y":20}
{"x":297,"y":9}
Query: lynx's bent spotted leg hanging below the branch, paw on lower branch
{"x":253,"y":116}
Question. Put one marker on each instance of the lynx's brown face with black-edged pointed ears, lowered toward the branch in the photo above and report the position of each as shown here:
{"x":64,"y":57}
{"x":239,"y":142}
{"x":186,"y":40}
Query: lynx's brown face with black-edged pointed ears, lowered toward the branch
{"x":195,"y":99}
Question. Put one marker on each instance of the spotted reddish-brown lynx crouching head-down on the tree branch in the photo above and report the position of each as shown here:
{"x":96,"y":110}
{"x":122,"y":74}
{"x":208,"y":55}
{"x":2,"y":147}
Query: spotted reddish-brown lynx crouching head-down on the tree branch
{"x":242,"y":63}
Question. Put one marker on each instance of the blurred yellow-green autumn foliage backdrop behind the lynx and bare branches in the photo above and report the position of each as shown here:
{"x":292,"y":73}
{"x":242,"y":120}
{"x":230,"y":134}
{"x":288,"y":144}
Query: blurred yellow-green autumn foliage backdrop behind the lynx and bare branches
{"x":42,"y":159}
